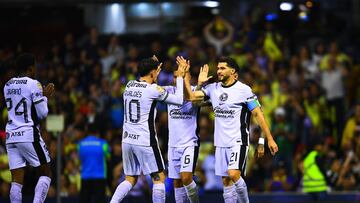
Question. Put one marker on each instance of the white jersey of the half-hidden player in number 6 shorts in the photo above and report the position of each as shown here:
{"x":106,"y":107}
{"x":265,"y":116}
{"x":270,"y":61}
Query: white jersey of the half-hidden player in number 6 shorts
{"x":183,"y":126}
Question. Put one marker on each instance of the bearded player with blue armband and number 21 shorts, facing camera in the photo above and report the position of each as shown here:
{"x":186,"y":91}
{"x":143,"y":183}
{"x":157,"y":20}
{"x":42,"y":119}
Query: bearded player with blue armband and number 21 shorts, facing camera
{"x":233,"y":103}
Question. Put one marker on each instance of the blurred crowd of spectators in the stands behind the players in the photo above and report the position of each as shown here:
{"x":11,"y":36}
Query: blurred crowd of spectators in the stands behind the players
{"x":308,"y":88}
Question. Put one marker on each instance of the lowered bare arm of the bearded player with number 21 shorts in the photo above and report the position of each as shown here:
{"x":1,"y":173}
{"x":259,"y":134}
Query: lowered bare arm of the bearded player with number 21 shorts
{"x":259,"y":116}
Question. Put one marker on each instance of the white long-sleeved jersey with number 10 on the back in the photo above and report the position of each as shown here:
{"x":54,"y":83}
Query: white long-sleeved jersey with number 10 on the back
{"x":140,"y":100}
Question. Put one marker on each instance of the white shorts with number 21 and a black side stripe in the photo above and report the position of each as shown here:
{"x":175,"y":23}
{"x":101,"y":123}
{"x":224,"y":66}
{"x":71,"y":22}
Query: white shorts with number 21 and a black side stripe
{"x":230,"y":158}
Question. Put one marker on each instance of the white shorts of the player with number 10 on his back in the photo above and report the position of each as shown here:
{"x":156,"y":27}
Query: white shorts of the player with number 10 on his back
{"x":145,"y":159}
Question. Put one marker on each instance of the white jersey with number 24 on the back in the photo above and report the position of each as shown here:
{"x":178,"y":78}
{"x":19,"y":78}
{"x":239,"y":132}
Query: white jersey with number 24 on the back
{"x":26,"y":105}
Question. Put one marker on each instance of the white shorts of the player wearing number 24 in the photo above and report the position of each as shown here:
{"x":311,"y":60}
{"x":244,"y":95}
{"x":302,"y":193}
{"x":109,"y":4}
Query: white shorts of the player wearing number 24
{"x":33,"y":153}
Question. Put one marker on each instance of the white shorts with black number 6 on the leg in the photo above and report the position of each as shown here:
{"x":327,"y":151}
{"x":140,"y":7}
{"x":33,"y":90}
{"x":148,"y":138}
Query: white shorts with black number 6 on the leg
{"x":182,"y":159}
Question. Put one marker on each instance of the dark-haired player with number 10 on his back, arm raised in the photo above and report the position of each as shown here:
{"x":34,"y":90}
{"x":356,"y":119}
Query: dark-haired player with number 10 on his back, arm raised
{"x":141,"y":153}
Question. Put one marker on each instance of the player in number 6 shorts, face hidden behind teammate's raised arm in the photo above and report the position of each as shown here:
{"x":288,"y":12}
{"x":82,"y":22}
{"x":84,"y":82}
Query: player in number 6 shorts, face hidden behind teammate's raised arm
{"x":183,"y":144}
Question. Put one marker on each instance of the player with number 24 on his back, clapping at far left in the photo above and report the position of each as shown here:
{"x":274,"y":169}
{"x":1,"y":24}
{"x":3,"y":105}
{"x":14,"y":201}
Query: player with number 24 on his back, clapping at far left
{"x":26,"y":103}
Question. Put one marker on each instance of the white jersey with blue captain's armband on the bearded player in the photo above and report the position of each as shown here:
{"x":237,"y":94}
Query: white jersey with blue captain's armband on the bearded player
{"x":232,"y":106}
